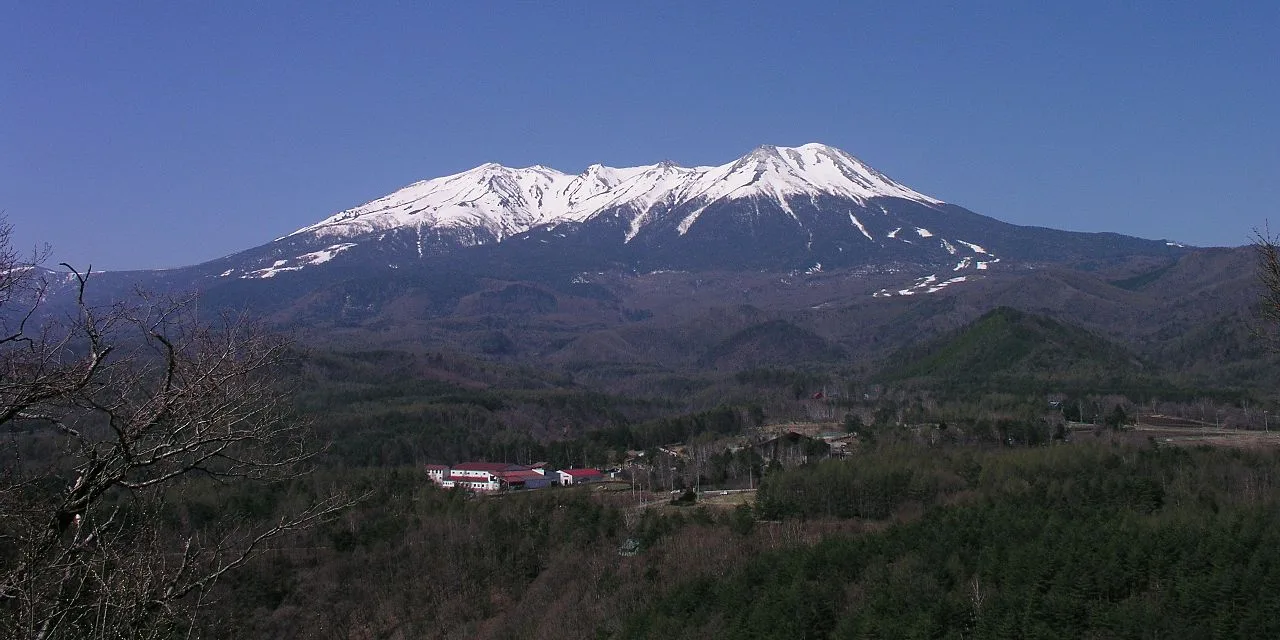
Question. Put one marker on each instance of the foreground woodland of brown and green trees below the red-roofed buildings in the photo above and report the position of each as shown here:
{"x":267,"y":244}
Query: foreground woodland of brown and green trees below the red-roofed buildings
{"x":1073,"y":541}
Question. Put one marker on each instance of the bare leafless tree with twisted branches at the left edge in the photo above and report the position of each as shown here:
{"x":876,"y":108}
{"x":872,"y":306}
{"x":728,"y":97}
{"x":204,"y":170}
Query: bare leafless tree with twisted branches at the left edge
{"x":107,"y":414}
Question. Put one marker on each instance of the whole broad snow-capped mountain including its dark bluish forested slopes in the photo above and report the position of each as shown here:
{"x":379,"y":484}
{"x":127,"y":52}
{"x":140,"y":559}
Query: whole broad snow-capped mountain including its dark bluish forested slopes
{"x":776,"y":212}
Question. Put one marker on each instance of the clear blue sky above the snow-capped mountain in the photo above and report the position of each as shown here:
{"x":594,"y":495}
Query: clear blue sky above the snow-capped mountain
{"x":150,"y":135}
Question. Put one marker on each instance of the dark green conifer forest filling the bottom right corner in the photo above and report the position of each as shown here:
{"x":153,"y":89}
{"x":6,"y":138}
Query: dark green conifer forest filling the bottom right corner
{"x":1071,"y":542}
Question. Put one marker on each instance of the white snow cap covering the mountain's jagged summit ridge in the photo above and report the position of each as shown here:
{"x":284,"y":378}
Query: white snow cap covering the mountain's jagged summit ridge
{"x":506,"y":202}
